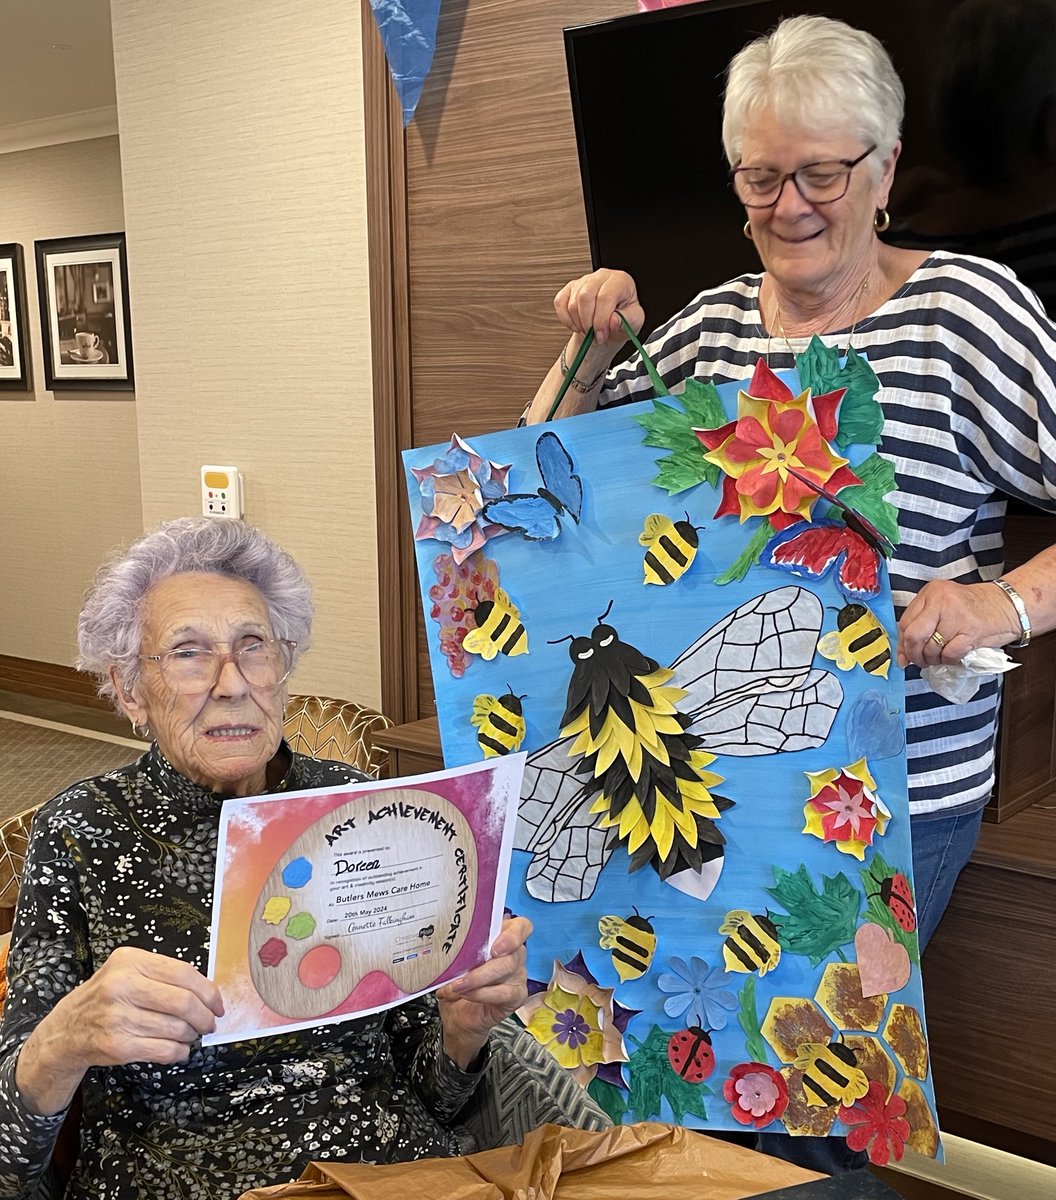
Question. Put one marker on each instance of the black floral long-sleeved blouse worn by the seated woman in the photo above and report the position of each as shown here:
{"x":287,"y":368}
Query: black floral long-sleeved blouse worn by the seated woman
{"x":128,"y":860}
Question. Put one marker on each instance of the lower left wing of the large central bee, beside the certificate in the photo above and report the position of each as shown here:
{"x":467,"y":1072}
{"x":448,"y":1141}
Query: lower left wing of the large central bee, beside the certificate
{"x":555,"y":824}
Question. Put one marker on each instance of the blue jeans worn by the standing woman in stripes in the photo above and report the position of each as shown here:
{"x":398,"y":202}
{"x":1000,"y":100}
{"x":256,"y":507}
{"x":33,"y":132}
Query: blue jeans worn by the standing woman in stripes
{"x":943,"y":847}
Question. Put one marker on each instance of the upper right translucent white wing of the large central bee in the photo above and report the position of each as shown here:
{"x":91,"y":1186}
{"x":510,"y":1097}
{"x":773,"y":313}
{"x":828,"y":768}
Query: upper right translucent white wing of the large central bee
{"x":751,"y":682}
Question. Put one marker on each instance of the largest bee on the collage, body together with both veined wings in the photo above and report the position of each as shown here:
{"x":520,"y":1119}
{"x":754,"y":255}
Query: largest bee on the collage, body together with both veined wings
{"x":747,"y":686}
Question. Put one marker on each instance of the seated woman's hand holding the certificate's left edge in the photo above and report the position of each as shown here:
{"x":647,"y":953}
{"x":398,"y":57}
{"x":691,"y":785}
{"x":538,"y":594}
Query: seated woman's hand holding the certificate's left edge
{"x":139,"y":1007}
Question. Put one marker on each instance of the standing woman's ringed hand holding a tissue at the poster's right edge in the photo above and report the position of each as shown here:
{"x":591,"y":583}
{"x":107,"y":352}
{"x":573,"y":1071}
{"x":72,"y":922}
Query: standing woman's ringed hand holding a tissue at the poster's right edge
{"x":946,"y":620}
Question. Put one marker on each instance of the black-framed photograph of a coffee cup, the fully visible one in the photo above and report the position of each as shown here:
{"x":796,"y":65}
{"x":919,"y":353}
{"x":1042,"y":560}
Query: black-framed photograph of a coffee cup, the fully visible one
{"x":83,"y":285}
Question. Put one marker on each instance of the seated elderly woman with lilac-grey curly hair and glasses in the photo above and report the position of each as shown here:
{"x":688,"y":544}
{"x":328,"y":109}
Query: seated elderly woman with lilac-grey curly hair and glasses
{"x":194,"y":633}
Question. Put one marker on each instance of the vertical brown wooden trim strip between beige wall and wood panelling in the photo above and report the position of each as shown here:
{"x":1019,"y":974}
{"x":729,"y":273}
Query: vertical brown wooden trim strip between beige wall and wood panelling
{"x":391,"y":351}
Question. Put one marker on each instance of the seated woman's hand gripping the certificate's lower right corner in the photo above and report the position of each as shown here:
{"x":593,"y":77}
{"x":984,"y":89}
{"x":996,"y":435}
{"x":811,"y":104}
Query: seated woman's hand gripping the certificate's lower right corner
{"x":472,"y":1006}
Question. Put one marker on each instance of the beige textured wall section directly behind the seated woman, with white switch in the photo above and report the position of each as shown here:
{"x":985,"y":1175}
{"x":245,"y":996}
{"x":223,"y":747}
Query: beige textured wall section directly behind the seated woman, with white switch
{"x":245,"y":205}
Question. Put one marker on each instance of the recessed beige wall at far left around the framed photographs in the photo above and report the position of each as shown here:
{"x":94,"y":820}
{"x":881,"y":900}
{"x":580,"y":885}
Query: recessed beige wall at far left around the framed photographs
{"x":69,"y":465}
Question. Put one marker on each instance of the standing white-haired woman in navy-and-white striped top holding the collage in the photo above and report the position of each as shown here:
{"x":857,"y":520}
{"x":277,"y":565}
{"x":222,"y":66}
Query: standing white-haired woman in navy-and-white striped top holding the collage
{"x":967,"y":362}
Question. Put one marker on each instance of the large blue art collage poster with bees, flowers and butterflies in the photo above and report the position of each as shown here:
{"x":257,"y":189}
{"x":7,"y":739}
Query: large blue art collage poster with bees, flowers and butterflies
{"x":681,"y":610}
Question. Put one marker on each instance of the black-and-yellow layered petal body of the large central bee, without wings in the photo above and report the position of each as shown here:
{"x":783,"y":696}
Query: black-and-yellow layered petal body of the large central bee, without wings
{"x":645,"y":775}
